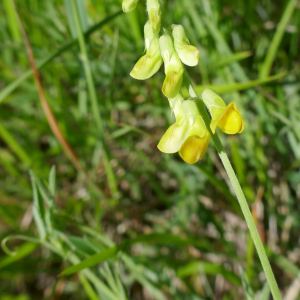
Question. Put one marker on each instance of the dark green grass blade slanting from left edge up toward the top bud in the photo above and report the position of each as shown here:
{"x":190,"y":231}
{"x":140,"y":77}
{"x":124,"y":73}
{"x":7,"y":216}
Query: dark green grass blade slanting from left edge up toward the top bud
{"x":11,"y":87}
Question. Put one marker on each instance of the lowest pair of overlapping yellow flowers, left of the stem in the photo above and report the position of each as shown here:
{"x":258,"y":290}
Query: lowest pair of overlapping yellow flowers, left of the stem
{"x":188,"y":134}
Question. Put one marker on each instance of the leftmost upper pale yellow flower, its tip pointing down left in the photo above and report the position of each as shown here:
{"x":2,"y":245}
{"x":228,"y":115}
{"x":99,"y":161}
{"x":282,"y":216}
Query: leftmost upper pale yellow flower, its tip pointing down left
{"x":150,"y":63}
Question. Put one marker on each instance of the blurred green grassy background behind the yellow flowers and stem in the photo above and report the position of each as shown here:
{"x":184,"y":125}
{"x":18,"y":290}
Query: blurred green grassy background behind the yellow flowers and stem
{"x":199,"y":242}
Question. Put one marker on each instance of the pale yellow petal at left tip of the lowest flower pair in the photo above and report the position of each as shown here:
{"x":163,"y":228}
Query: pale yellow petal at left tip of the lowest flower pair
{"x":173,"y":138}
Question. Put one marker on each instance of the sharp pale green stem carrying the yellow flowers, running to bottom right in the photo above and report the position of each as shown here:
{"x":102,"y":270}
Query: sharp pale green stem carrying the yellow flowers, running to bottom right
{"x":238,"y":190}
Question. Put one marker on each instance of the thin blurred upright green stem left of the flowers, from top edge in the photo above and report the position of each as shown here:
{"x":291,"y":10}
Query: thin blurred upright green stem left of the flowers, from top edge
{"x":94,"y":101}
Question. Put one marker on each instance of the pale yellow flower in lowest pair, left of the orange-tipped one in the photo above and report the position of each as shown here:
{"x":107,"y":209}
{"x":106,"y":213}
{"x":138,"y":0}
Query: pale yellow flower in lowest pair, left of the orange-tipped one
{"x":176,"y":133}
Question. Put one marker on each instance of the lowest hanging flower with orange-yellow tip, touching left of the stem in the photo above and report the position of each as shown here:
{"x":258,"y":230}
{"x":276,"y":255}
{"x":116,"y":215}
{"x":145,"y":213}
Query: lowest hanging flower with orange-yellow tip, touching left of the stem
{"x":196,"y":144}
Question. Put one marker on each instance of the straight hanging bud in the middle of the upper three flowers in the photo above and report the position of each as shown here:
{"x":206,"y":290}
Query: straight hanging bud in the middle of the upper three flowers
{"x":173,"y":67}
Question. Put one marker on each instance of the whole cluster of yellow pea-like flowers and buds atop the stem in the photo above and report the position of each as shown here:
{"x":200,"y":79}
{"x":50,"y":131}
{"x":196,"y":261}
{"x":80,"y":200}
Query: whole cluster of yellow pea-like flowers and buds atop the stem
{"x":188,"y":135}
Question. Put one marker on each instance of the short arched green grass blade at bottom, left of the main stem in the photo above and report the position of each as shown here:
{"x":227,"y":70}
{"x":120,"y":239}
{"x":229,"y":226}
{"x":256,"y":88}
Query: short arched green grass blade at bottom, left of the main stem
{"x":210,"y":268}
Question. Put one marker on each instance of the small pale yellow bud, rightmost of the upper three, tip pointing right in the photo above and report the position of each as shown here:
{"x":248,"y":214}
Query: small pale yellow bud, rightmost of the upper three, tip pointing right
{"x":188,"y":54}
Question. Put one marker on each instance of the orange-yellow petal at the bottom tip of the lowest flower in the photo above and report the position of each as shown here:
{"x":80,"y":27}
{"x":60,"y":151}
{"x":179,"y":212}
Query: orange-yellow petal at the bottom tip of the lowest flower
{"x":194,"y":148}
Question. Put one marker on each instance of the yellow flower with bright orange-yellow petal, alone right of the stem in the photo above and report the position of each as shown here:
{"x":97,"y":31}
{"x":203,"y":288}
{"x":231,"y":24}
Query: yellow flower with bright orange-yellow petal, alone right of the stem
{"x":227,"y":118}
